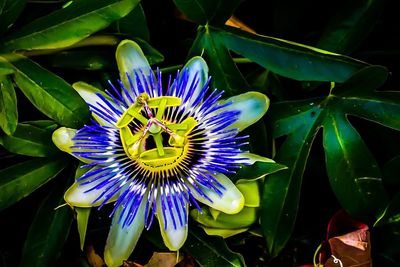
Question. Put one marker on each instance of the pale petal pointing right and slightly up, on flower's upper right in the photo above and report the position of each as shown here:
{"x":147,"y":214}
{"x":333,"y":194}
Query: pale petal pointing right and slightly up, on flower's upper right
{"x":252,"y":107}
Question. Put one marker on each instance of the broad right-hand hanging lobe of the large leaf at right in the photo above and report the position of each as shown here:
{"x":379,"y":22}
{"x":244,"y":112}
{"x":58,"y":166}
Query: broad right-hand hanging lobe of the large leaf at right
{"x":352,"y":168}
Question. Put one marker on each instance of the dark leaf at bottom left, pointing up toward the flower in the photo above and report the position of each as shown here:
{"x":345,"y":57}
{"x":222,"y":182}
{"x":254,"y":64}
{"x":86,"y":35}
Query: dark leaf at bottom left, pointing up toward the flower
{"x":48,"y":232}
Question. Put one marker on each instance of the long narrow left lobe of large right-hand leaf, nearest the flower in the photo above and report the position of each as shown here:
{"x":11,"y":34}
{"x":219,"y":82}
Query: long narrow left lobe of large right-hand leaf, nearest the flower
{"x":281,"y":192}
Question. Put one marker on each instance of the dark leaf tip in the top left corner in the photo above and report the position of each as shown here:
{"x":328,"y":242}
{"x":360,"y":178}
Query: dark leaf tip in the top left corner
{"x":9,"y":12}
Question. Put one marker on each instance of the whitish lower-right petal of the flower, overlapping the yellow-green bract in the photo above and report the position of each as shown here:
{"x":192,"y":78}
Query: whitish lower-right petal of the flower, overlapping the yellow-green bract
{"x":231,"y":201}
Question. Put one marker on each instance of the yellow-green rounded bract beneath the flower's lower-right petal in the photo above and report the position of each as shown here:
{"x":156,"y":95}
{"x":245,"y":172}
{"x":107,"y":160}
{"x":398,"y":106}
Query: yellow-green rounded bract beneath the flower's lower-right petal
{"x":244,"y":218}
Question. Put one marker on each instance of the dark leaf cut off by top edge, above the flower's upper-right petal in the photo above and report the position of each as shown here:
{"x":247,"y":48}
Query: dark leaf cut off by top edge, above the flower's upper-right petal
{"x":204,"y":11}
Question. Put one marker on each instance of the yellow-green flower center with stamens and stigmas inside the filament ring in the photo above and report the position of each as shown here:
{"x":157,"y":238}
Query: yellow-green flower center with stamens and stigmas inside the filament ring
{"x":165,"y":155}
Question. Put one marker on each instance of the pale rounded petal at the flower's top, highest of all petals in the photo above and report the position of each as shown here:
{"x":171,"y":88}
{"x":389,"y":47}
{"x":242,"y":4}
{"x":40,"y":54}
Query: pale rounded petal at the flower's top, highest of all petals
{"x":130,"y":59}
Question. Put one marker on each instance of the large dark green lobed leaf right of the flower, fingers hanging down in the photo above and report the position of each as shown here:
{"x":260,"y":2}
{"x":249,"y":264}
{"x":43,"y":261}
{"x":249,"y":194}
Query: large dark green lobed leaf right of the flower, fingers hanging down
{"x":352,"y":170}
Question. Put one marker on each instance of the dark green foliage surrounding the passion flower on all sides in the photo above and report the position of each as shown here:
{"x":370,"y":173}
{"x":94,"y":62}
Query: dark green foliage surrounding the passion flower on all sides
{"x":332,"y":76}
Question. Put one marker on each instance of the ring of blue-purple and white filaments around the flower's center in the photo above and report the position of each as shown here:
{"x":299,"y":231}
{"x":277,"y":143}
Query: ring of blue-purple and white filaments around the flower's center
{"x":214,"y":148}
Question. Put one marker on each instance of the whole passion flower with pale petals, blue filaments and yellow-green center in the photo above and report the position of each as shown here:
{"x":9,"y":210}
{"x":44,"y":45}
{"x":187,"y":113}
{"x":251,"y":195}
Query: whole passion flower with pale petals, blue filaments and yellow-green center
{"x":157,"y":149}
